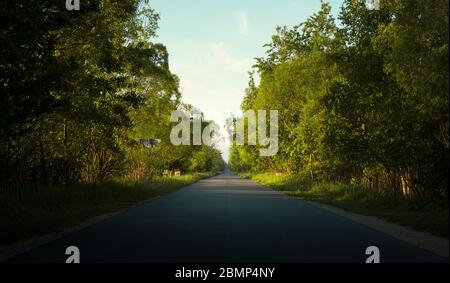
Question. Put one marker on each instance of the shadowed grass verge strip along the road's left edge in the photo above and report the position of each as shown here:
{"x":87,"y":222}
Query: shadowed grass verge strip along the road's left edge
{"x":48,"y":210}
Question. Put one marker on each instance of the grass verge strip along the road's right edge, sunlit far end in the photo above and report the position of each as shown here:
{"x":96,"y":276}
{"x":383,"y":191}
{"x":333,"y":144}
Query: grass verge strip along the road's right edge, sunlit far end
{"x":419,"y":213}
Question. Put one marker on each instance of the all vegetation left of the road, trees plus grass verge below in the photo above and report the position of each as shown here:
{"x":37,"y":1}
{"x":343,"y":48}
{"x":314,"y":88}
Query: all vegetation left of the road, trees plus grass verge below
{"x":81,"y":95}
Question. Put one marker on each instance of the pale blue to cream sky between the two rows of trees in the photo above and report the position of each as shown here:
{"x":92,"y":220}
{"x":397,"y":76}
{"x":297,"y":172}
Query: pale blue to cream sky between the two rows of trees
{"x":212,"y":45}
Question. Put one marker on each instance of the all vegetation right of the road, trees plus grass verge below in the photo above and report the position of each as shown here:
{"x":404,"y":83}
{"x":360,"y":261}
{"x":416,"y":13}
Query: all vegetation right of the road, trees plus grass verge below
{"x":363,"y":111}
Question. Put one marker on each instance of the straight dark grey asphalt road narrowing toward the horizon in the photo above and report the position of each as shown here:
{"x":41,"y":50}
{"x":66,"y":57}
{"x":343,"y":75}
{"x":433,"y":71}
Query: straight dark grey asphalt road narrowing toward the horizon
{"x":227,"y":219}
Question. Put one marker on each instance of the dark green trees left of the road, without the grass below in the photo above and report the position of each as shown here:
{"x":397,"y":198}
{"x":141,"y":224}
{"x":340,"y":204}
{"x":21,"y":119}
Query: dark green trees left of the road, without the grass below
{"x":79,"y":89}
